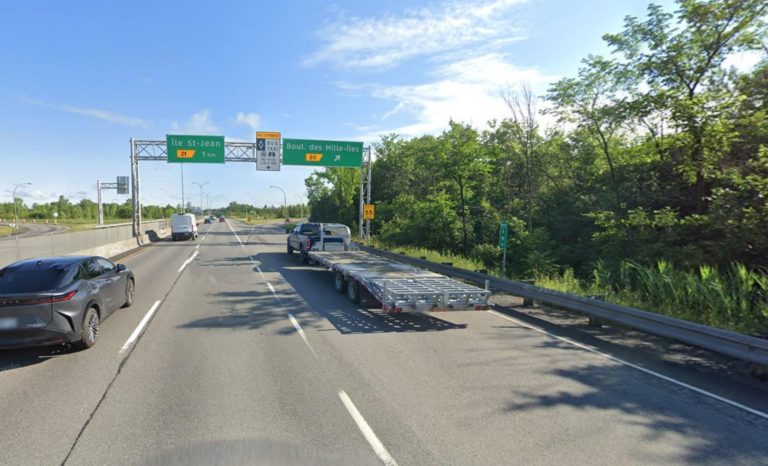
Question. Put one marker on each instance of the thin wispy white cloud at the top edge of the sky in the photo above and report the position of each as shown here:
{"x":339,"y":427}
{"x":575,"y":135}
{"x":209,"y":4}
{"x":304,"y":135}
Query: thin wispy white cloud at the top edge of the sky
{"x":383,"y":42}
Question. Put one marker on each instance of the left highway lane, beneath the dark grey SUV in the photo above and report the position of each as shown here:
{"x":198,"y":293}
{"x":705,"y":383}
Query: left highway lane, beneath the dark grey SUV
{"x":47,"y":394}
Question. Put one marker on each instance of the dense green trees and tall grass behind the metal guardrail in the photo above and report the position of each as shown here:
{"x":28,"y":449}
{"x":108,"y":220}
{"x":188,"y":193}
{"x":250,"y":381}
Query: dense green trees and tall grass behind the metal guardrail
{"x":648,"y":185}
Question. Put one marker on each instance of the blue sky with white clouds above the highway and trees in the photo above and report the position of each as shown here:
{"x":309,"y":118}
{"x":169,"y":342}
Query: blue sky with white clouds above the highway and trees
{"x":80,"y":78}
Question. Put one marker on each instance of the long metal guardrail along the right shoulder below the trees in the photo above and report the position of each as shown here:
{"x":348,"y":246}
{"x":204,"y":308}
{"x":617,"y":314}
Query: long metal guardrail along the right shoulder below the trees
{"x":733,"y":344}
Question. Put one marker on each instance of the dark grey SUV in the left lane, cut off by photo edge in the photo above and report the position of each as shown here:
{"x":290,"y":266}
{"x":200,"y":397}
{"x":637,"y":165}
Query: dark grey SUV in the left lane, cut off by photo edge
{"x":60,"y":299}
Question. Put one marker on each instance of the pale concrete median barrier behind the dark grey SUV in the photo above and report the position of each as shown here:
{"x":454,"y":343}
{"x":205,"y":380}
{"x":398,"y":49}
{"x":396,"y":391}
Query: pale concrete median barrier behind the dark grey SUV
{"x":107,"y":242}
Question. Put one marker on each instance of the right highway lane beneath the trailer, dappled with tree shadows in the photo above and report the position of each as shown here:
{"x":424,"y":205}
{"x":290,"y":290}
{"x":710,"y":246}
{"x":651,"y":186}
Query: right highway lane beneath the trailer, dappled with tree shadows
{"x":478,"y":388}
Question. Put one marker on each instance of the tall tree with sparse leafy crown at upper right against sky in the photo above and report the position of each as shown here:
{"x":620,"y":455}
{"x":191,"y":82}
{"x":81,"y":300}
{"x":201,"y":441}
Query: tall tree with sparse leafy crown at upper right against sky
{"x":679,"y":58}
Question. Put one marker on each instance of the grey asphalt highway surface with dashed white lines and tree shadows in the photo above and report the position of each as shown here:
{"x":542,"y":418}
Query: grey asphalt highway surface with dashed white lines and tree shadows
{"x":252,"y":358}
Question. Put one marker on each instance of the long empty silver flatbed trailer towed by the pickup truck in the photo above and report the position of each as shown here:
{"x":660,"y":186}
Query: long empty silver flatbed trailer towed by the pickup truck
{"x":370,"y":279}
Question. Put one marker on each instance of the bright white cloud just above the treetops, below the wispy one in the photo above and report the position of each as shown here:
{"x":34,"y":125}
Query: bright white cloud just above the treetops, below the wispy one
{"x":468,"y":91}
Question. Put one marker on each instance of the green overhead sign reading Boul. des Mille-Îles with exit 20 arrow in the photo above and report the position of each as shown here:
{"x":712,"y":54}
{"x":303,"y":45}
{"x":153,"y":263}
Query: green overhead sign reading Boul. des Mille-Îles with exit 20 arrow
{"x":322,"y":153}
